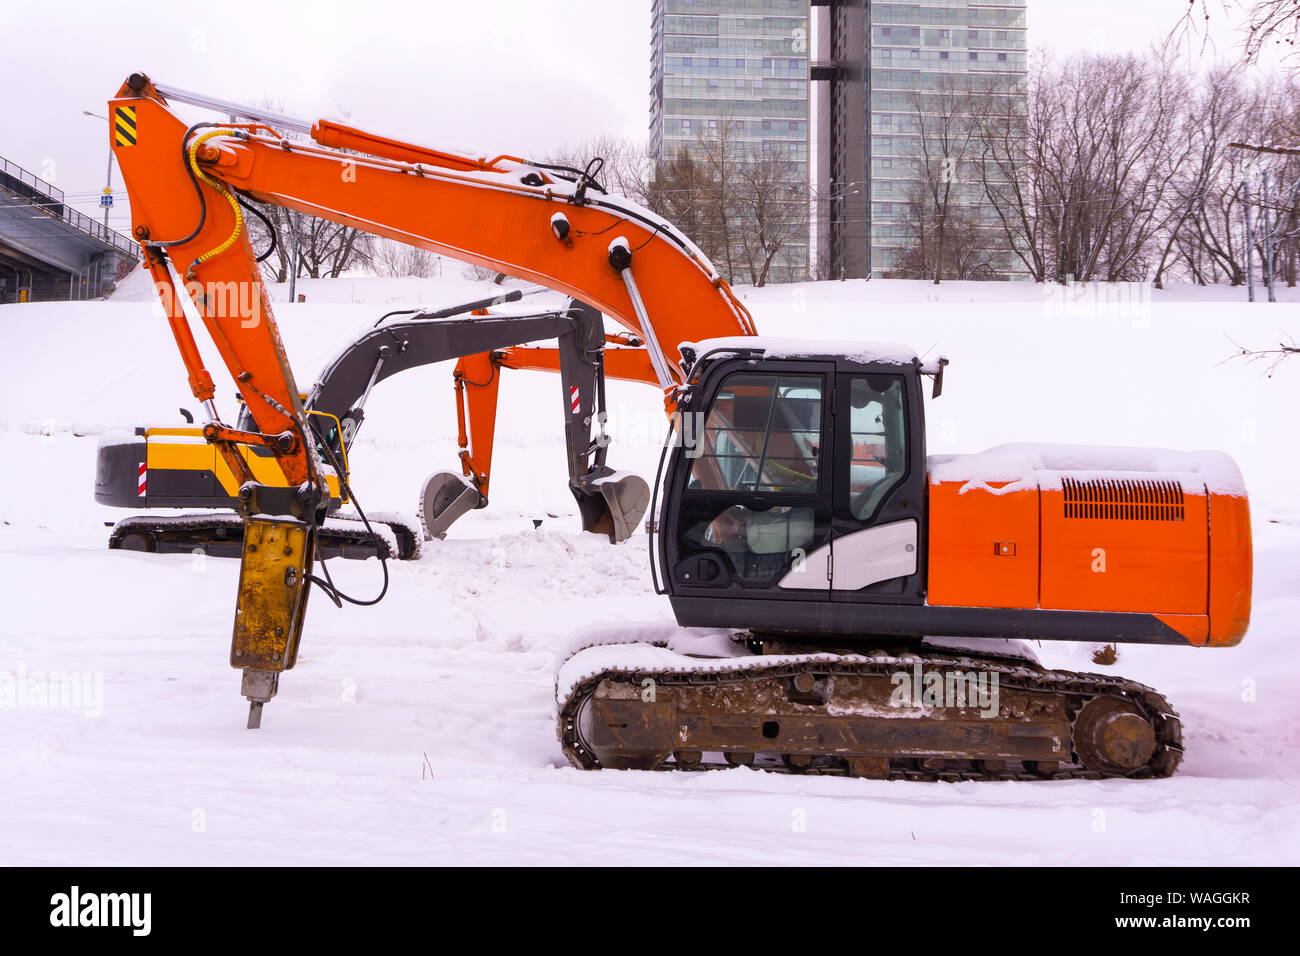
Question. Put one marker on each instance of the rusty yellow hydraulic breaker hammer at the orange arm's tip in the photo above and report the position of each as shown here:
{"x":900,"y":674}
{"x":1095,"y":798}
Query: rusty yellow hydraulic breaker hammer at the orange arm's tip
{"x":275,"y":577}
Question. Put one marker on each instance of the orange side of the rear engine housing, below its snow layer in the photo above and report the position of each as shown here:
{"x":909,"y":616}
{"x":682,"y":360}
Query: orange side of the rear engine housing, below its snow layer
{"x":1029,"y":550}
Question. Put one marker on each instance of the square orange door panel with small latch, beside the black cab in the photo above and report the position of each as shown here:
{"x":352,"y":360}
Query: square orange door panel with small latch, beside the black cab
{"x":983,"y":548}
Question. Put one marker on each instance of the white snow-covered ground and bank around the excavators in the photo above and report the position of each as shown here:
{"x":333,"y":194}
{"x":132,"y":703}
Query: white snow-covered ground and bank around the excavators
{"x":422,"y":732}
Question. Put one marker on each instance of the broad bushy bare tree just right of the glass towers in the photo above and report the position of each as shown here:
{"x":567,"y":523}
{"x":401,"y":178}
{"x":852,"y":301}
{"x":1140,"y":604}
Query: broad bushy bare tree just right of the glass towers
{"x":1085,"y":185}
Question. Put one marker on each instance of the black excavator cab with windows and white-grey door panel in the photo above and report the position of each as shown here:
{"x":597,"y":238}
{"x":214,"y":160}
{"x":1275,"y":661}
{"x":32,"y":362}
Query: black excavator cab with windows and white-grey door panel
{"x":795,"y":479}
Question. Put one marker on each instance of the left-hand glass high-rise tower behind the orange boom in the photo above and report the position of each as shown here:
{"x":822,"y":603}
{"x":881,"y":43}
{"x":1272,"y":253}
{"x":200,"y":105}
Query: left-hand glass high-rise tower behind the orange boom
{"x":742,"y":64}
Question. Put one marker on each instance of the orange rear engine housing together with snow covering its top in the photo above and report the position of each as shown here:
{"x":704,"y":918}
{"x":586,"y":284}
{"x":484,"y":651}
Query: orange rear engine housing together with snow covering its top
{"x":1060,"y":527}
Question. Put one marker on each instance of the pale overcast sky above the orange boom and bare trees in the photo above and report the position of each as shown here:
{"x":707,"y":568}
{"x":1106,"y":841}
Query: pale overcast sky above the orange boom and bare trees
{"x":508,"y":76}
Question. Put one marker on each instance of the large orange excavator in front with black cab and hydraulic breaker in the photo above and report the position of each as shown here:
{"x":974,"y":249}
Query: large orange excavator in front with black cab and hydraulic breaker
{"x":868,"y":600}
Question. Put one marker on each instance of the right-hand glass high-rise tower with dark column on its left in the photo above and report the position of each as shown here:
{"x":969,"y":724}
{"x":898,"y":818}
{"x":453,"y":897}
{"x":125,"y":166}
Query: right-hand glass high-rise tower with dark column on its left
{"x":881,"y":66}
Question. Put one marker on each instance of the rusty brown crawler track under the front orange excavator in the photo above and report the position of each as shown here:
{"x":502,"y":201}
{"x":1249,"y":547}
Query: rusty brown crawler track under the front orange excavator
{"x":833,"y":715}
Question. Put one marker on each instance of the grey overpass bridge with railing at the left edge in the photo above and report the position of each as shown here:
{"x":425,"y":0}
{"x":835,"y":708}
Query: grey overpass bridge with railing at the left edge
{"x":51,"y":252}
